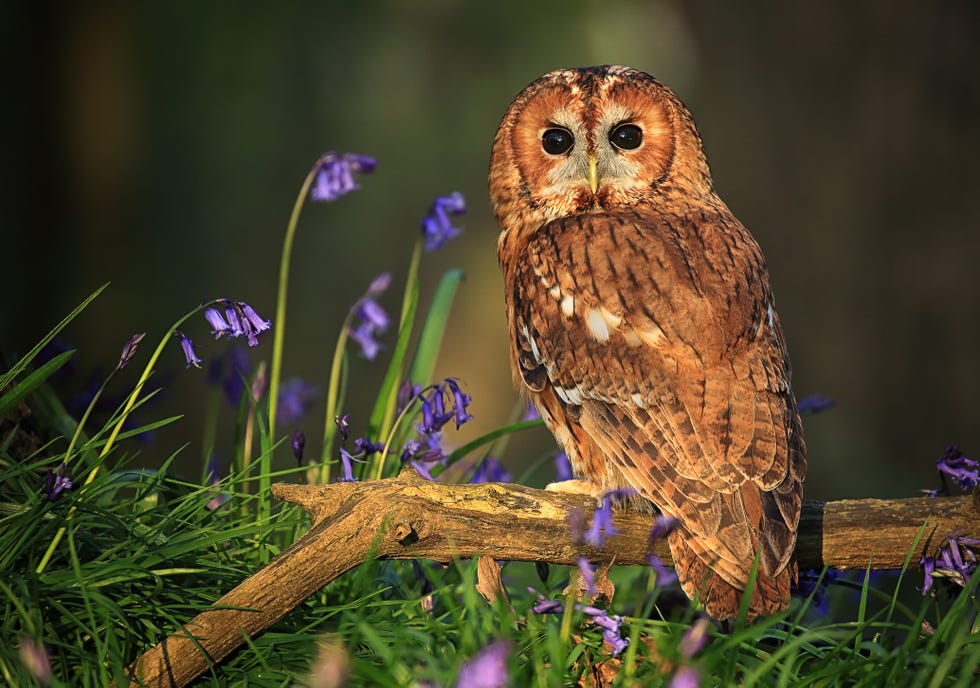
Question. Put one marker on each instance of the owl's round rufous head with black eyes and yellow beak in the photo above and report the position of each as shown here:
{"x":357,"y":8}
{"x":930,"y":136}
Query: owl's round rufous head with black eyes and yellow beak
{"x":579,"y":140}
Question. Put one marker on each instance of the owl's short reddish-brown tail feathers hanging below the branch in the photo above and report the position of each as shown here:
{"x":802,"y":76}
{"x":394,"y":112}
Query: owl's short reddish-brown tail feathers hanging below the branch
{"x":720,"y":598}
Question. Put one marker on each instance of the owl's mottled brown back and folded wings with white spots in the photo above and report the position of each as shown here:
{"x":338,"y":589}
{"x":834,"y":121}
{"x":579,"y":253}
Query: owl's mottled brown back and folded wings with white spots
{"x":656,"y":336}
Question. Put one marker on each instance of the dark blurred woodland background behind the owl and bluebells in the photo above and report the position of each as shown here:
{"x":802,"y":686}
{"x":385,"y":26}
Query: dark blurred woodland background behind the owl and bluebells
{"x":160,"y":146}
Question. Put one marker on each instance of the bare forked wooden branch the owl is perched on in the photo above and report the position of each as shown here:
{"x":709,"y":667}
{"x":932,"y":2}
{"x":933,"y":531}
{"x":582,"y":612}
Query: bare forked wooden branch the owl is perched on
{"x":408,"y":518}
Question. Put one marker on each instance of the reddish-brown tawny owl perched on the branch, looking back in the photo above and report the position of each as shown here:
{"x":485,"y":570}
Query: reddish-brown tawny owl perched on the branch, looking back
{"x":642,"y":325}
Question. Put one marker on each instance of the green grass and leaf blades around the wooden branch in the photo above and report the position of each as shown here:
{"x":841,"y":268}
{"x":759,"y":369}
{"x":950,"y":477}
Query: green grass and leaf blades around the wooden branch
{"x":128,"y":555}
